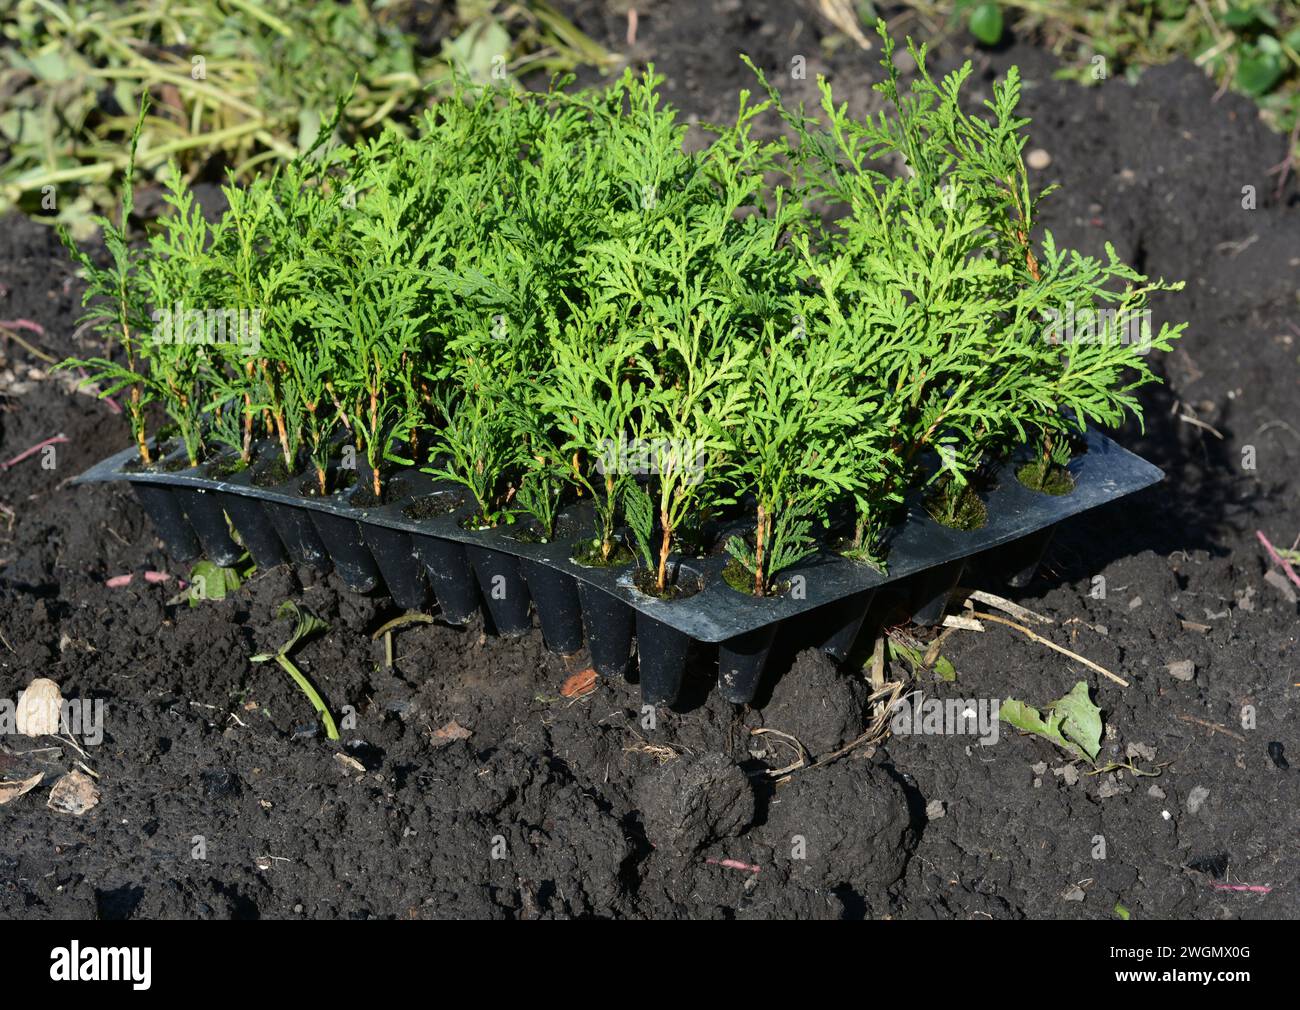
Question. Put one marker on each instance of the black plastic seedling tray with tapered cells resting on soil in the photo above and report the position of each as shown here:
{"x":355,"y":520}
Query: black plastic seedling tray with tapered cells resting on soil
{"x":418,"y":561}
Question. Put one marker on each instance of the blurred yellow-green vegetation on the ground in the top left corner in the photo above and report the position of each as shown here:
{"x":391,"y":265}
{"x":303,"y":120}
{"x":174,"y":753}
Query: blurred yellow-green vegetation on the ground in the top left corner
{"x":235,"y":84}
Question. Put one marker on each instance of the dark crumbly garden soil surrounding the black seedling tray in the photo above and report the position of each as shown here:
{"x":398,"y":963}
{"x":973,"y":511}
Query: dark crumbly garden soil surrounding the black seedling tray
{"x":562,"y":808}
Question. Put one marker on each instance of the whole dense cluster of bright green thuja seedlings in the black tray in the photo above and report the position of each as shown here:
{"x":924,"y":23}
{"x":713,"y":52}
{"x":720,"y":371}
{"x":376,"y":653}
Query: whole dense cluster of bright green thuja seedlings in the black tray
{"x":545,"y":300}
